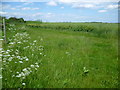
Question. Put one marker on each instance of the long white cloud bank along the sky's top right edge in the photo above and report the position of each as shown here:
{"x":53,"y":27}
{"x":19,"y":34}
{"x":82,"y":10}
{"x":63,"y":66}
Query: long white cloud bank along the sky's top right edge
{"x":94,"y":4}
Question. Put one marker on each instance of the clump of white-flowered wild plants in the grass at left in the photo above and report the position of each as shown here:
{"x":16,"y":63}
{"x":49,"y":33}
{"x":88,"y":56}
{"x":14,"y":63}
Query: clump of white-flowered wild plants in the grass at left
{"x":21,"y":59}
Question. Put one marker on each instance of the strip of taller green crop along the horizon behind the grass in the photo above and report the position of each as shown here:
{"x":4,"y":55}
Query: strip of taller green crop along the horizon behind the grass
{"x":105,"y":30}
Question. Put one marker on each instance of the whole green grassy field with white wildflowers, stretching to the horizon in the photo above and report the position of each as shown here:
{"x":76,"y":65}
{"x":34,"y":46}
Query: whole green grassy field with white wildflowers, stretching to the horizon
{"x":61,"y":55}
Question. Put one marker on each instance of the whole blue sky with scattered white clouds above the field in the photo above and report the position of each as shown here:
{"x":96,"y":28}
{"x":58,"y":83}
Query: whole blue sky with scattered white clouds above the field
{"x":62,"y":10}
